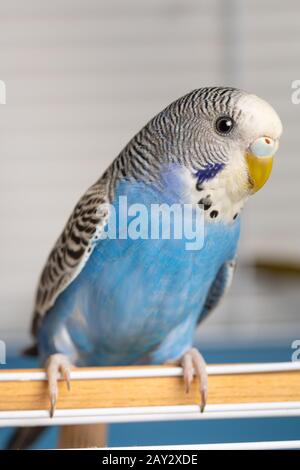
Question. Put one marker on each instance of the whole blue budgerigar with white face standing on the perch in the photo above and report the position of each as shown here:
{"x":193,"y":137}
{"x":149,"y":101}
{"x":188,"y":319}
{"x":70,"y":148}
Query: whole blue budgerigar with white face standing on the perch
{"x":121,"y":301}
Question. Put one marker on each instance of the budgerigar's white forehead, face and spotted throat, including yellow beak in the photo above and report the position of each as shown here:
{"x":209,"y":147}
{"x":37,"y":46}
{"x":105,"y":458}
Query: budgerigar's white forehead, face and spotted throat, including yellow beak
{"x":253,"y":139}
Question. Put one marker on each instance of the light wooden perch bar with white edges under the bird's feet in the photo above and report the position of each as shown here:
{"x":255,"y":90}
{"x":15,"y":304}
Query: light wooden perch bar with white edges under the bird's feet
{"x":103,"y":391}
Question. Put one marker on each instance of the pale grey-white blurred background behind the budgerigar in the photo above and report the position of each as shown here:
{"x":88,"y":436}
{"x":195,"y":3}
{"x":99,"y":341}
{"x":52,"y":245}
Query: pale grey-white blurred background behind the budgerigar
{"x":83,"y":76}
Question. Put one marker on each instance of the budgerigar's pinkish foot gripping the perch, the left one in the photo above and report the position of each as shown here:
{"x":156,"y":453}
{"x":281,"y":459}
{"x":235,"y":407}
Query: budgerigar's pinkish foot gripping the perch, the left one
{"x":57,"y":366}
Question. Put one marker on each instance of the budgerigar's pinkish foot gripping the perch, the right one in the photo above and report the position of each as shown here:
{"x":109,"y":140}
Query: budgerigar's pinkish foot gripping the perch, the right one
{"x":193,"y":363}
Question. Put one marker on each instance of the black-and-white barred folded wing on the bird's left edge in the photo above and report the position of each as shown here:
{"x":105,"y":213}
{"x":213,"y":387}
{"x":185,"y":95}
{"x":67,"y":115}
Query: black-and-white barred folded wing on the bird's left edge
{"x":74,"y":246}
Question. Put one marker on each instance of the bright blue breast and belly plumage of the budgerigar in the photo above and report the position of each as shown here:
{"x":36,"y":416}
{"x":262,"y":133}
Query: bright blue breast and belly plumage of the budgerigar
{"x":137,"y":301}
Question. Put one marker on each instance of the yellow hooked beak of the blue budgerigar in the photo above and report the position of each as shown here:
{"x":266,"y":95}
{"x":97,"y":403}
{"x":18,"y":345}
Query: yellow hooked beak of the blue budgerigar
{"x":259,"y":169}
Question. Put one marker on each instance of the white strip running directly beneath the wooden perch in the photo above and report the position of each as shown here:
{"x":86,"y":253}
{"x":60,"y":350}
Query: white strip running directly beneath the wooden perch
{"x":144,"y":414}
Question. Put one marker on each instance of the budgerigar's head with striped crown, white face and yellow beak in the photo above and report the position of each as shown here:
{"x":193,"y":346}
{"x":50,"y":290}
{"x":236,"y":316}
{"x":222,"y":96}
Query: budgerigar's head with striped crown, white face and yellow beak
{"x":228,"y":134}
